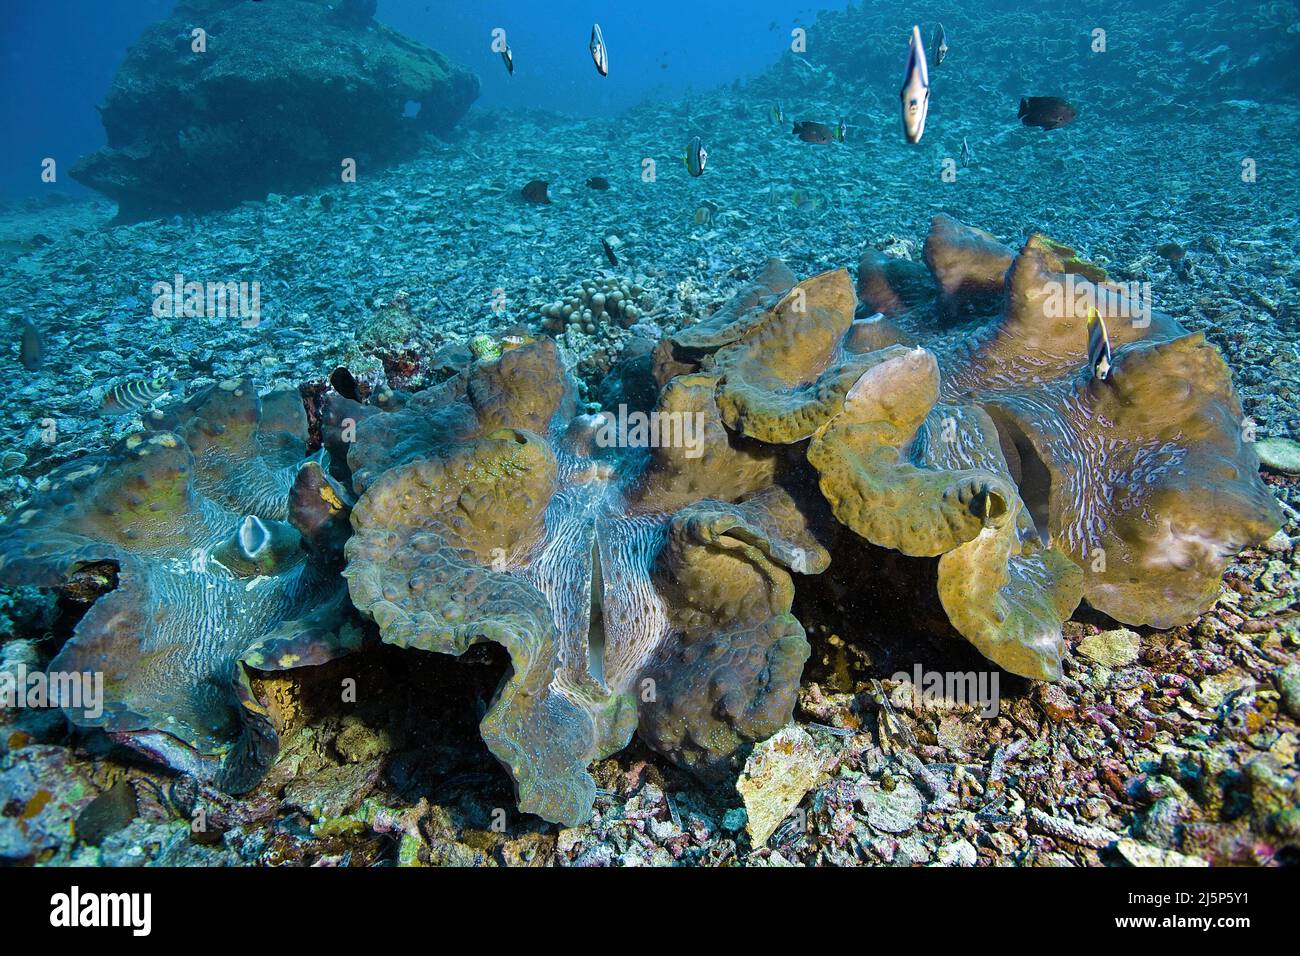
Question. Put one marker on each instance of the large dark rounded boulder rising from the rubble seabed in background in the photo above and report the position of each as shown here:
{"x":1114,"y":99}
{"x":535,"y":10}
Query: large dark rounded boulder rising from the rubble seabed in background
{"x":283,"y":94}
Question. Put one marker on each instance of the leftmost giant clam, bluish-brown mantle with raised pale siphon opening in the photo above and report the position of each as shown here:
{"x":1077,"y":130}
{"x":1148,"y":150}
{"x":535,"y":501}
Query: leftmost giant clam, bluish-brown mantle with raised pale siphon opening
{"x":219,"y":539}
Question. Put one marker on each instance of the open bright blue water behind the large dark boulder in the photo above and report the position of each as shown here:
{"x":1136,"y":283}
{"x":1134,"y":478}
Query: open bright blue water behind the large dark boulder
{"x":58,"y":59}
